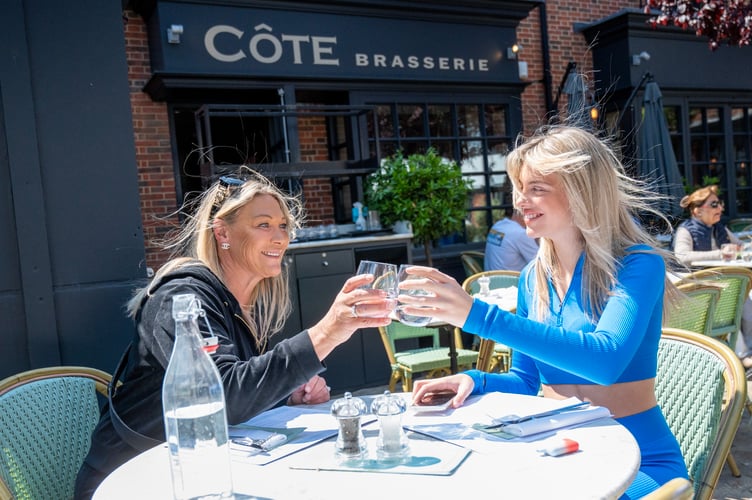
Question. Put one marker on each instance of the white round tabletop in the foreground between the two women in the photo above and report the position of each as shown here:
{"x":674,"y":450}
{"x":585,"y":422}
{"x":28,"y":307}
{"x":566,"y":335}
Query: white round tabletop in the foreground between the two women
{"x":604,"y":467}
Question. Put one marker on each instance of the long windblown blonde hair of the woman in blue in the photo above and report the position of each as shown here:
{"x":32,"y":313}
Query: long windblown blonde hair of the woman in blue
{"x":604,"y":204}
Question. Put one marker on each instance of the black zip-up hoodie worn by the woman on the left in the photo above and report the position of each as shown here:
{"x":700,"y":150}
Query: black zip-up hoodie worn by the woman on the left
{"x":253,"y":382}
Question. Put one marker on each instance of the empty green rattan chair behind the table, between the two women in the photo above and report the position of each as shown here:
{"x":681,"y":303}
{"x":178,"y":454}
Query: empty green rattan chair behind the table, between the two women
{"x":433,"y":360}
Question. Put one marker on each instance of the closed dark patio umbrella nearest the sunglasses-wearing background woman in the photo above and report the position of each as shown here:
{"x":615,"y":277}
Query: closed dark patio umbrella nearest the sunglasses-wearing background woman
{"x":656,"y":160}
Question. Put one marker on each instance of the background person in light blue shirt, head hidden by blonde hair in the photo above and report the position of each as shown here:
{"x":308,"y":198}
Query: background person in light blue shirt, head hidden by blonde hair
{"x":508,"y":247}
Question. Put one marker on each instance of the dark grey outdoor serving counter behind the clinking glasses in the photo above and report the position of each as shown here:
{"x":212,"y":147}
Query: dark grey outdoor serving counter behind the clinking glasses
{"x":317,"y":270}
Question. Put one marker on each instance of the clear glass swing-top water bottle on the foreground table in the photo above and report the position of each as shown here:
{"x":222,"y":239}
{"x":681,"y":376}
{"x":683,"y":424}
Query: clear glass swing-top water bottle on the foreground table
{"x":193,"y":401}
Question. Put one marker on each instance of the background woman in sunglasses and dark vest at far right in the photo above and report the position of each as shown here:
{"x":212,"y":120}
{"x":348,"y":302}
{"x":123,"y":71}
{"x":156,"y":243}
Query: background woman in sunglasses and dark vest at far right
{"x":700,"y":237}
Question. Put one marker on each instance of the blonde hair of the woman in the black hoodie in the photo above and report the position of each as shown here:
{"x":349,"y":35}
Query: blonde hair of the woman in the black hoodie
{"x":194,"y":242}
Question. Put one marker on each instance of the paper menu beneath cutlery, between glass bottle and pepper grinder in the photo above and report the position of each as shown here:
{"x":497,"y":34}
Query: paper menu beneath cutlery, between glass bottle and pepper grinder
{"x":303,"y":425}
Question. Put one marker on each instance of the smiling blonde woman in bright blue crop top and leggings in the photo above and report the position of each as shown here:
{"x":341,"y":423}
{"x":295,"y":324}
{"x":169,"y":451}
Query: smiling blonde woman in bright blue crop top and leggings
{"x":589,"y":307}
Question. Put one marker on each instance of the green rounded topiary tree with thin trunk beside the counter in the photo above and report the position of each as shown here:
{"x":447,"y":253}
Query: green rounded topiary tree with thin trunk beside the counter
{"x":425,"y":189}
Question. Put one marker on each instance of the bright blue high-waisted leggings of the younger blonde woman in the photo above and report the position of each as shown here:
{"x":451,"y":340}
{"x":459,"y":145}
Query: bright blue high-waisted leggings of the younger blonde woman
{"x":661,"y":458}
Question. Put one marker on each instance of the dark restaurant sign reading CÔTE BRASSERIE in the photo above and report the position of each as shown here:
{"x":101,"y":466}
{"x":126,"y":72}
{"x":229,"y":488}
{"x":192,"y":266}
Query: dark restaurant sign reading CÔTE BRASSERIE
{"x":236,"y":41}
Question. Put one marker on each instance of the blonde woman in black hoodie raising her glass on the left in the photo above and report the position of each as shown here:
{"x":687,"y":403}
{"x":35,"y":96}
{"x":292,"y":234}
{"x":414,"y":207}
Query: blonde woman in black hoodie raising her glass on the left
{"x":229,"y":255}
